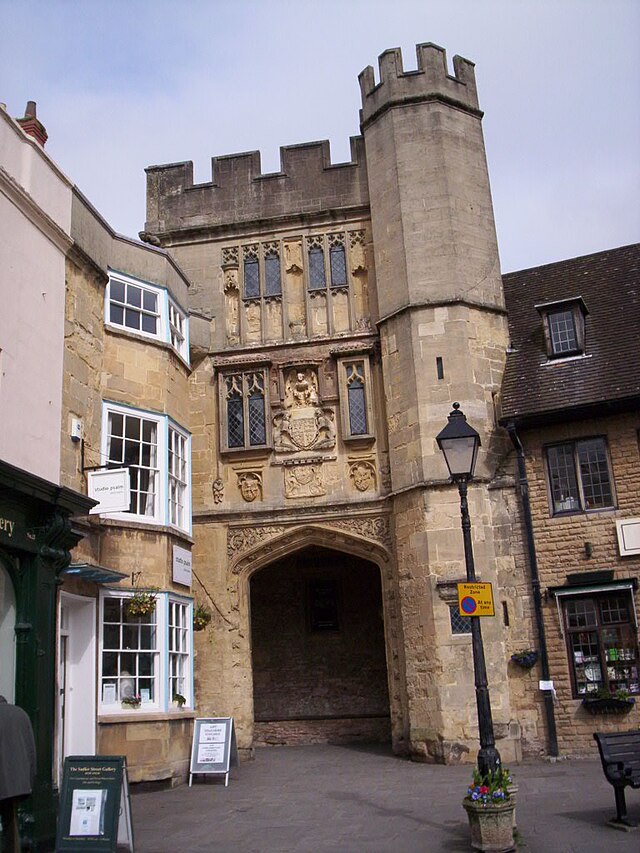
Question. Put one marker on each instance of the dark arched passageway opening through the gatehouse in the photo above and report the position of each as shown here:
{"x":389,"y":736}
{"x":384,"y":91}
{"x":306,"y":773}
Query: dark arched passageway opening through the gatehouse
{"x":319,"y":665}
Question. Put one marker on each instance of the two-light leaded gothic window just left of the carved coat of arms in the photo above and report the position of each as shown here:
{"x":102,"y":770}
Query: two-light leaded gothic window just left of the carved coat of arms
{"x":244,"y":410}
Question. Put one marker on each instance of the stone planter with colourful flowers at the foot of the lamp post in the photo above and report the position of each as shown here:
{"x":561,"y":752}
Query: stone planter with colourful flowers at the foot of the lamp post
{"x":490,"y":807}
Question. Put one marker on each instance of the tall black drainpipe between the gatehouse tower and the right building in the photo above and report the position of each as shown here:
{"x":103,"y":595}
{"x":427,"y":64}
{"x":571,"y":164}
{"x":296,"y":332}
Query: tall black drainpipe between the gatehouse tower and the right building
{"x":535,"y":586}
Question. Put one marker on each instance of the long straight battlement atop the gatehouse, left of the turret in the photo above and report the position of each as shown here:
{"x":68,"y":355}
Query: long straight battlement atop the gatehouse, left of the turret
{"x":307,"y":183}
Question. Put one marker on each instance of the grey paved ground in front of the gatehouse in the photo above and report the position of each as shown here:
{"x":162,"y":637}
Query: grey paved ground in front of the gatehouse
{"x":361,"y":799}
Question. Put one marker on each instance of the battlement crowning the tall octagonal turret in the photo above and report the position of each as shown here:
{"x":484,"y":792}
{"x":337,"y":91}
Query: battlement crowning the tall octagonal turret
{"x":431,"y":81}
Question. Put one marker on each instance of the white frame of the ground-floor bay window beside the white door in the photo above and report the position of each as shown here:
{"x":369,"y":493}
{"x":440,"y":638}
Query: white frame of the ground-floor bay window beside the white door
{"x":163,"y":698}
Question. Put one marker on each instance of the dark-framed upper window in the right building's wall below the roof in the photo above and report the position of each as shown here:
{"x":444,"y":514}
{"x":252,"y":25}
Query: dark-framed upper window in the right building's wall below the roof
{"x":579,"y":476}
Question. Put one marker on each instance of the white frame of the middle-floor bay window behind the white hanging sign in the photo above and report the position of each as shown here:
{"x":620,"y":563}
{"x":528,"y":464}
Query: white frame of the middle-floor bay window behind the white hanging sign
{"x":165,"y":427}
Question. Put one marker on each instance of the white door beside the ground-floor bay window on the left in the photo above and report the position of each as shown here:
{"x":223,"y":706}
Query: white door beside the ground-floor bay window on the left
{"x":76,"y":700}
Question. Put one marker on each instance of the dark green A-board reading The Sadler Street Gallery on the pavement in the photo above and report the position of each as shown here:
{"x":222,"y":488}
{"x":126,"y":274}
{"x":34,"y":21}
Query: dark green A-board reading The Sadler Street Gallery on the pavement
{"x":95,"y":806}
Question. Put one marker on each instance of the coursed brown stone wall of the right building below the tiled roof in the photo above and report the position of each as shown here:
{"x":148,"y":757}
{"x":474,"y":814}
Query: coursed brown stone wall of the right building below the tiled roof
{"x":560,"y":548}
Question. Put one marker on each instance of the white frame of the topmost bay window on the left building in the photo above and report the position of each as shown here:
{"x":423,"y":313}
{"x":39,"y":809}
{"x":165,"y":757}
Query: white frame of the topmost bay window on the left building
{"x":172,"y":321}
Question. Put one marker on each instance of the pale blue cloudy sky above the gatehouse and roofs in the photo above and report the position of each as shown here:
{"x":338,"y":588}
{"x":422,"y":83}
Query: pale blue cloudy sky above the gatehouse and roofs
{"x":123,"y":84}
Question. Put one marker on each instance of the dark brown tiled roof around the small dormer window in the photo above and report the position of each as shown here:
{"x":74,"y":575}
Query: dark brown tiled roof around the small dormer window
{"x":536,"y":388}
